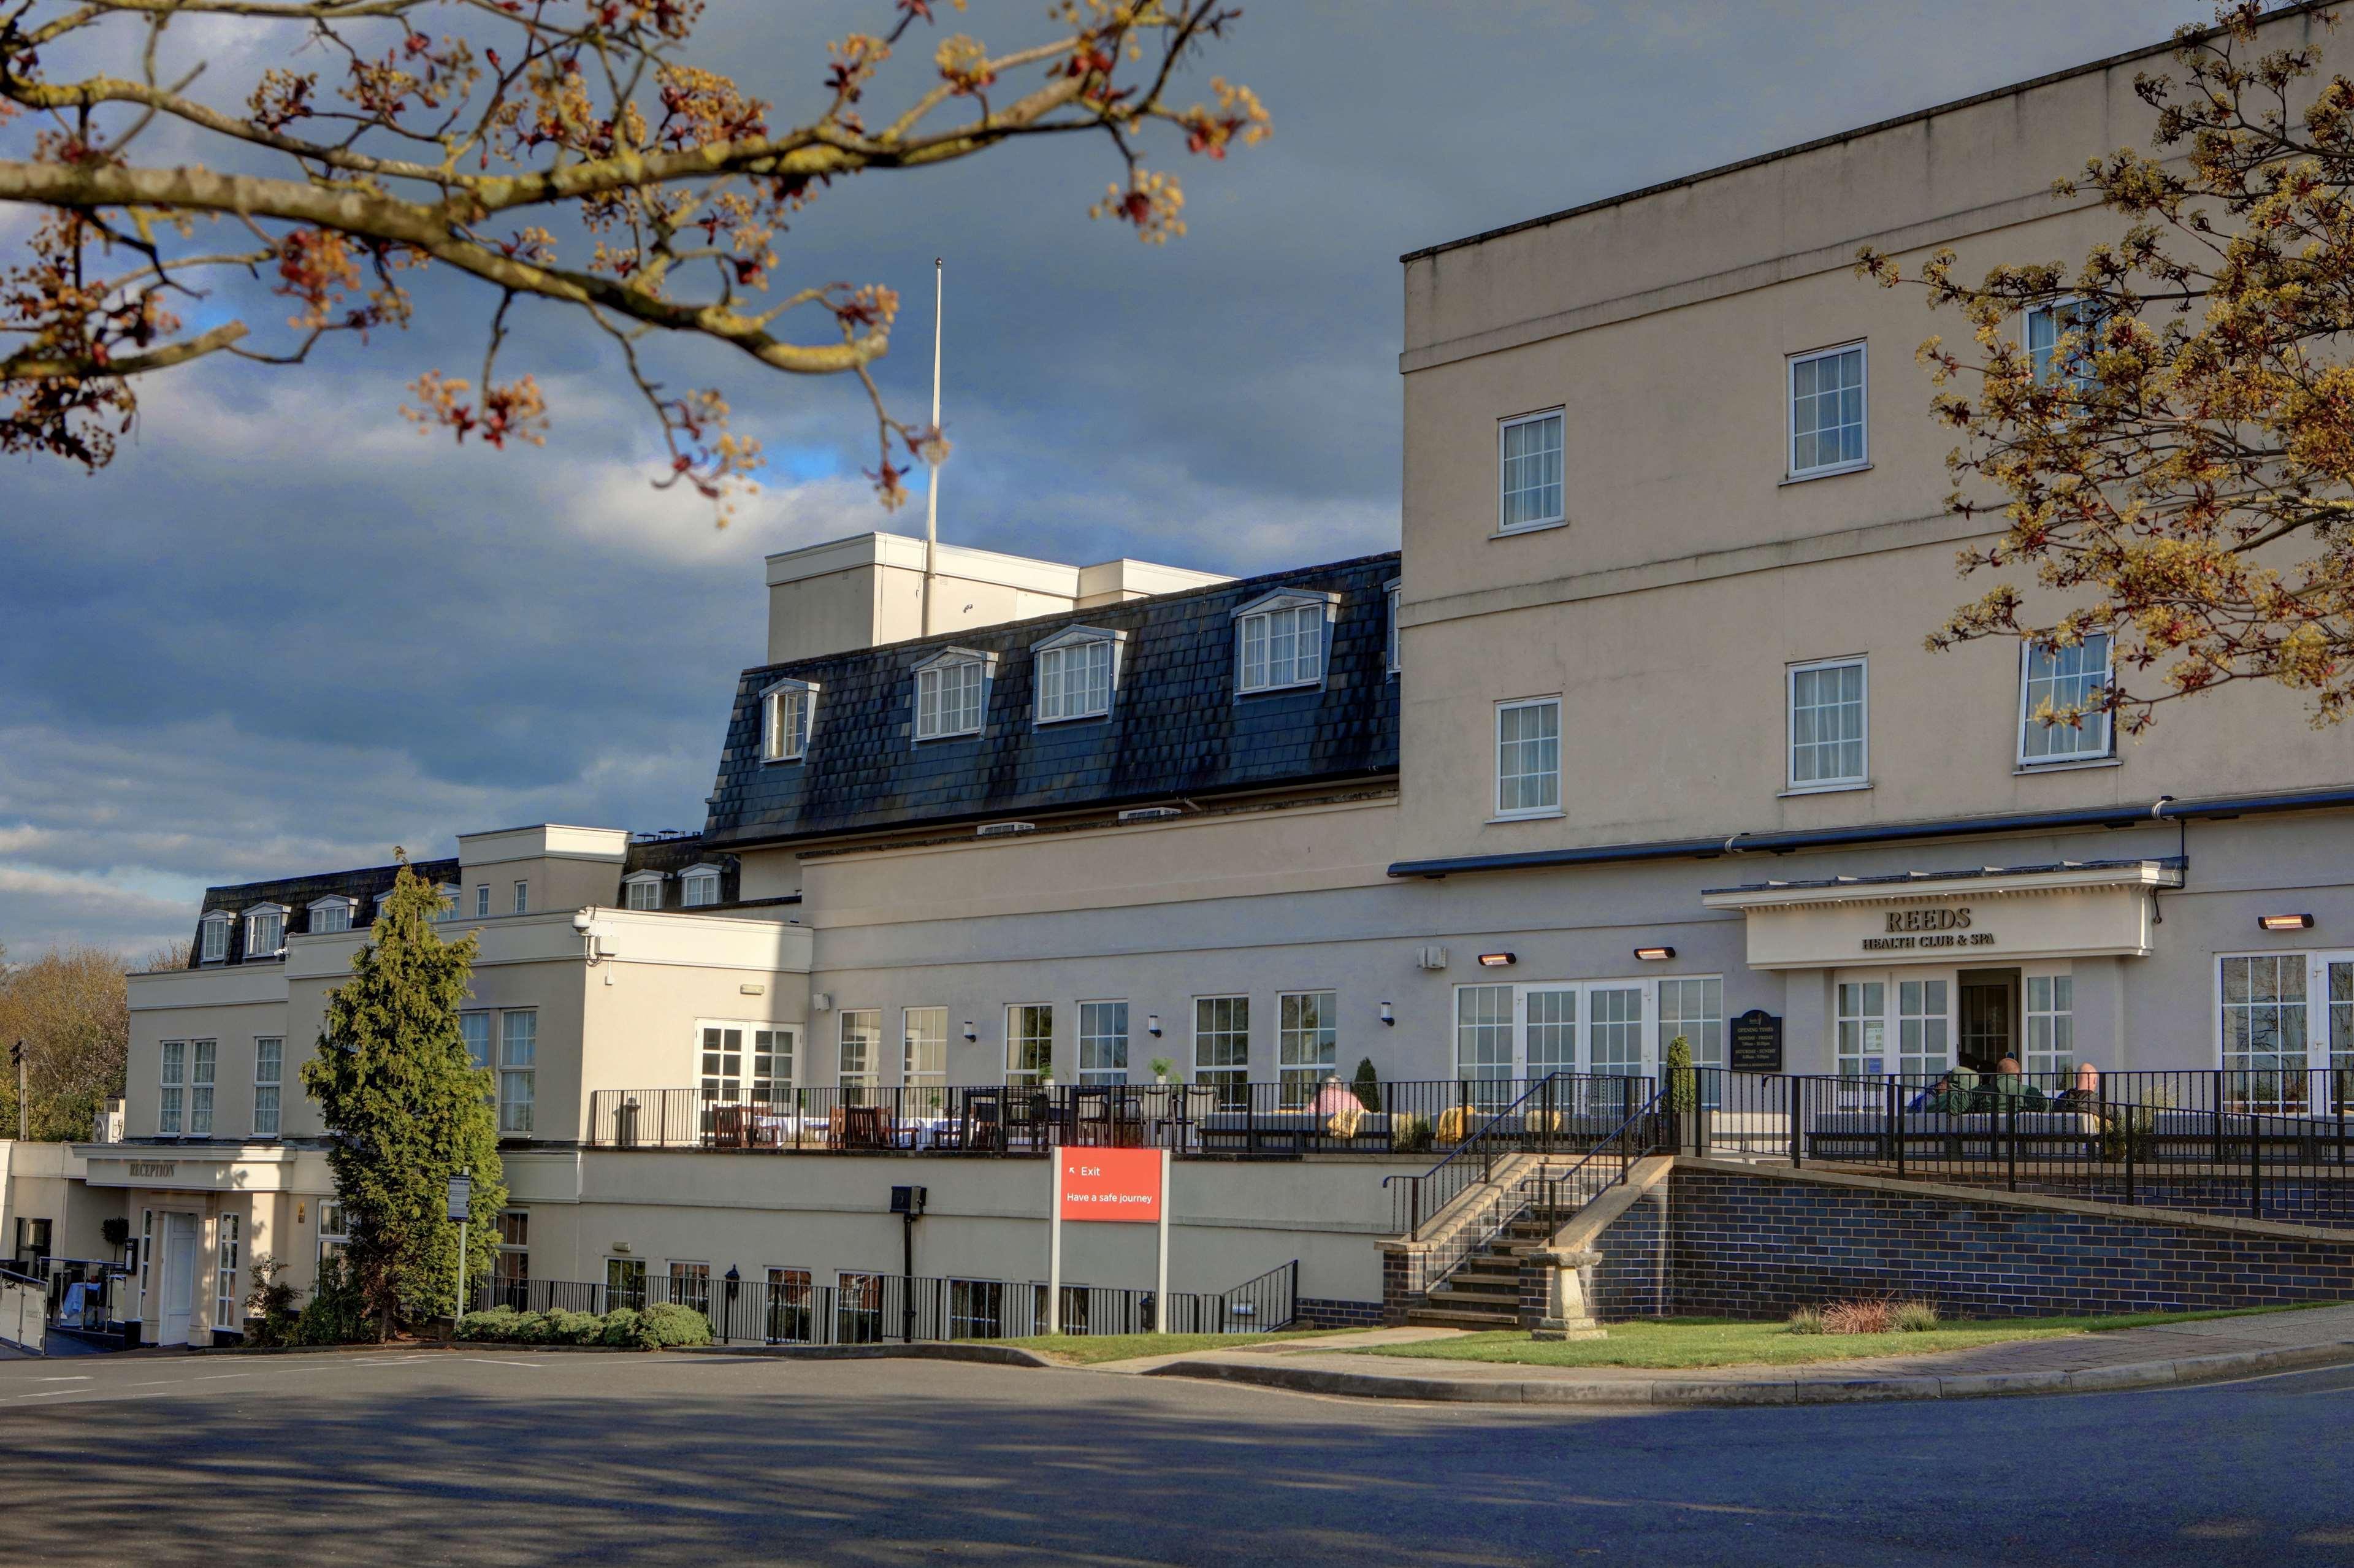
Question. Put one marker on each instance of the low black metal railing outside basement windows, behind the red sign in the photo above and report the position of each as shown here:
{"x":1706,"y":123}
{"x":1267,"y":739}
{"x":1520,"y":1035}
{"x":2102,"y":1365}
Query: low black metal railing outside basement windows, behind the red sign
{"x":872,"y":1308}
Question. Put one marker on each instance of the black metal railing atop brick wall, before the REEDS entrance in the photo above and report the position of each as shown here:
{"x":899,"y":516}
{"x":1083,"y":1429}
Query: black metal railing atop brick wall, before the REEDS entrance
{"x":2268,"y":1143}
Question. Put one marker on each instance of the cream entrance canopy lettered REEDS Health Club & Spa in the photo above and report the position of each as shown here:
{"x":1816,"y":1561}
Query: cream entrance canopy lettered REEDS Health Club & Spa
{"x":1988,"y":915}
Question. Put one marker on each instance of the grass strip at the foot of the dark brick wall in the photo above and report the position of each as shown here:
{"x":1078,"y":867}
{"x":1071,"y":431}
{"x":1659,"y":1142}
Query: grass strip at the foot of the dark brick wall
{"x":1682,"y":1343}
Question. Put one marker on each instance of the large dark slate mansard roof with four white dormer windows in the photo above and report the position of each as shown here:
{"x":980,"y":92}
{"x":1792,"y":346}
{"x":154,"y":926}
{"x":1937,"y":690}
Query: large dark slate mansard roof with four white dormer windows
{"x":1176,"y":724}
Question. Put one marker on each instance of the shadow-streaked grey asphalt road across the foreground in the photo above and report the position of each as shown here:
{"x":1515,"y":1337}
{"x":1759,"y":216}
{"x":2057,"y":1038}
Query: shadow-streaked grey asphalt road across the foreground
{"x":550,"y":1459}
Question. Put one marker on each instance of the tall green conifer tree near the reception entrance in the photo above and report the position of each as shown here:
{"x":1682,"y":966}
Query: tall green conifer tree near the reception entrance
{"x":406,"y":1110}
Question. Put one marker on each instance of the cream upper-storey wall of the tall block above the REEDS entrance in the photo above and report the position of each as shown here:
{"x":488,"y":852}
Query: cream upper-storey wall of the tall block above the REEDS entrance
{"x":1689,"y":573}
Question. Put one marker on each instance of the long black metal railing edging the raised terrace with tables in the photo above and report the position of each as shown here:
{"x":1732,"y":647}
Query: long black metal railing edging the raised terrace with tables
{"x":1192,"y":1119}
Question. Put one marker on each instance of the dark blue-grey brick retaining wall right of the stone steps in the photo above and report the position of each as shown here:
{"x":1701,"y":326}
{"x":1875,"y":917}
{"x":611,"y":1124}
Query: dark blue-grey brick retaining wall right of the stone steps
{"x":1757,"y":1247}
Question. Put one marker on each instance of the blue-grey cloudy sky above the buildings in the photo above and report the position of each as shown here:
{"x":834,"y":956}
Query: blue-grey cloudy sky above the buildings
{"x":284,"y":632}
